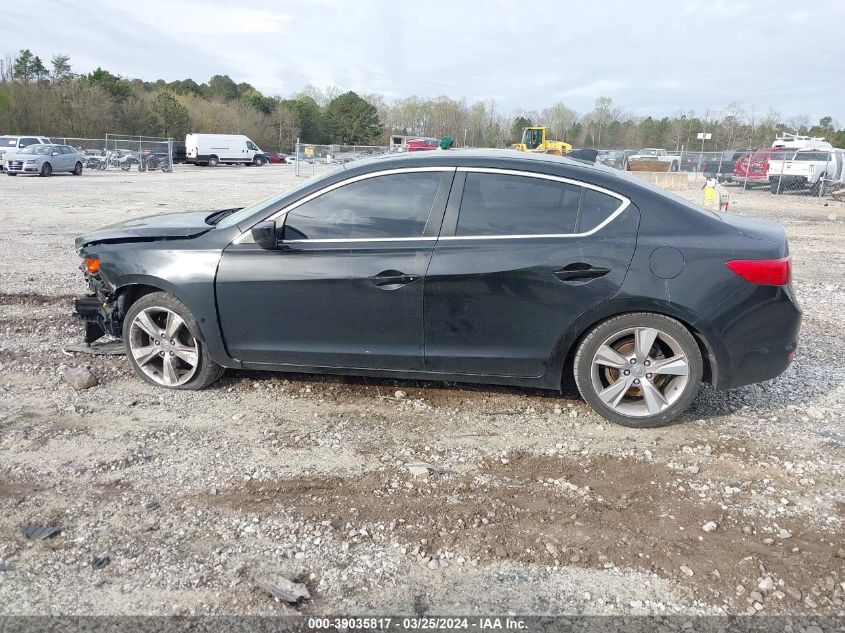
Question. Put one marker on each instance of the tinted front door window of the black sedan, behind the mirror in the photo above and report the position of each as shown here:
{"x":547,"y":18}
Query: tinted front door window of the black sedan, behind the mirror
{"x":396,"y":205}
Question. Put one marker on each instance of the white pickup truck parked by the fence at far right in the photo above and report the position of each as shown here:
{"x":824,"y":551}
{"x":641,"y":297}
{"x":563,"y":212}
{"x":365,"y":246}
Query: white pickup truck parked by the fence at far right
{"x":819,"y":170}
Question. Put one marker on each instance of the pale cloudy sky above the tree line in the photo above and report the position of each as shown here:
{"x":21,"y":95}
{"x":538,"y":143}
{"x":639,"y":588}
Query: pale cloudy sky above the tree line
{"x":655,"y":57}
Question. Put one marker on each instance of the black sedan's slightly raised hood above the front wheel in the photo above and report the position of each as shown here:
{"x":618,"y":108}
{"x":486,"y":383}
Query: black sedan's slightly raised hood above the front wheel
{"x":169,"y":226}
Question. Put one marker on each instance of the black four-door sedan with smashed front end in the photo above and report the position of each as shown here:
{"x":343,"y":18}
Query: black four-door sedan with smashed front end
{"x":478,"y":266}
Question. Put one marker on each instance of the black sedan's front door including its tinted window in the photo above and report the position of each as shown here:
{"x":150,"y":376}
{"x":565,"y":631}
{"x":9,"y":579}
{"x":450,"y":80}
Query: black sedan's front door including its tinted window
{"x":345,"y":287}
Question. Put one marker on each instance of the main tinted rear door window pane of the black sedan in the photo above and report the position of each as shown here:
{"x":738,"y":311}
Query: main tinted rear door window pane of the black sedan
{"x":500,"y":204}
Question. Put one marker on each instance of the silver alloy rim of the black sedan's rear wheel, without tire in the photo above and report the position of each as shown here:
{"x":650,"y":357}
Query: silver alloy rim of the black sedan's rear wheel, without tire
{"x":640,"y":371}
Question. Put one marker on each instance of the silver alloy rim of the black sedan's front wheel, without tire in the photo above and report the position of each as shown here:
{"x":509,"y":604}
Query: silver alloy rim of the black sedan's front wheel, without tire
{"x":163,"y":347}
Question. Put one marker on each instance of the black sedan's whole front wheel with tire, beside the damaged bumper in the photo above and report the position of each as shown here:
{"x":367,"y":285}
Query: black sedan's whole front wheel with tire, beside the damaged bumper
{"x":163,"y":344}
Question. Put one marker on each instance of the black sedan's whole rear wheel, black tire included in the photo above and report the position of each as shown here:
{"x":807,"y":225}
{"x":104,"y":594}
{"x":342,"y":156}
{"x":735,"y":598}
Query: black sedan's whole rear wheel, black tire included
{"x":639,"y":369}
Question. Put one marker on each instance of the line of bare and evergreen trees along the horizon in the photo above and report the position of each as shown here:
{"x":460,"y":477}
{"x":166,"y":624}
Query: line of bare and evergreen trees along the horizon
{"x":51,"y":99}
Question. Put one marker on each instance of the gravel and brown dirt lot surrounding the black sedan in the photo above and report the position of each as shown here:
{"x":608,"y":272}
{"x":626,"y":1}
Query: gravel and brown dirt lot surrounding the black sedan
{"x":533,"y":504}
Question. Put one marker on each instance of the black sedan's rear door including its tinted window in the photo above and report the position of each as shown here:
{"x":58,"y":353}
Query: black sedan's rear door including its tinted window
{"x":520,"y":256}
